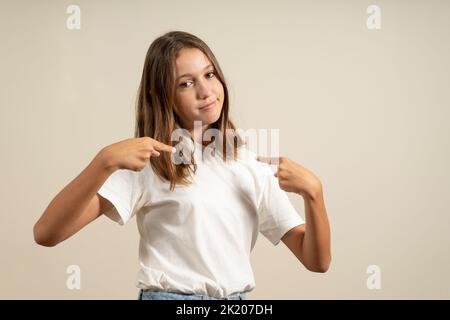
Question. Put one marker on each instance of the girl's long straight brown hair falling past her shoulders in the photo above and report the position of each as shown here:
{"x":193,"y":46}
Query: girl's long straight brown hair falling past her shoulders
{"x":156,"y":116}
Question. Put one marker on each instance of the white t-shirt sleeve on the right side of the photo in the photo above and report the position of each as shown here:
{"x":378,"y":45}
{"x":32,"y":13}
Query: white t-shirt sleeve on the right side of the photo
{"x":276,"y":213}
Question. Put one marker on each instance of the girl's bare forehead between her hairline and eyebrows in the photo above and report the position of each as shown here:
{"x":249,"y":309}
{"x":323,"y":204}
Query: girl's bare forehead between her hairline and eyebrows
{"x":190,"y":60}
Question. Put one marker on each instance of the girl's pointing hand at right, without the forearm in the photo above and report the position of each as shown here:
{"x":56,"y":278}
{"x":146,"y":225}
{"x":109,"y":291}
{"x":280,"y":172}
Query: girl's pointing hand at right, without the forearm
{"x":292,"y":177}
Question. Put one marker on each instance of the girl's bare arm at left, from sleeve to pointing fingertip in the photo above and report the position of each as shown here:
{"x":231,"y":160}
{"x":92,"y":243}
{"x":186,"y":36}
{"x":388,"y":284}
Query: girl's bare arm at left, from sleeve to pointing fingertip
{"x":78,"y":203}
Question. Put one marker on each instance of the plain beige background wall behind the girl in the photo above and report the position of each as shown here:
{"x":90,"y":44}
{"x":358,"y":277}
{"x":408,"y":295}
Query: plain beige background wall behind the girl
{"x":365,"y":110}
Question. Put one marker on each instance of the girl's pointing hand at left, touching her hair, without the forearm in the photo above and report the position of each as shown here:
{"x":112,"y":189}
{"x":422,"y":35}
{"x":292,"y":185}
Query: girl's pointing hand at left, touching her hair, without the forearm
{"x":133,"y":154}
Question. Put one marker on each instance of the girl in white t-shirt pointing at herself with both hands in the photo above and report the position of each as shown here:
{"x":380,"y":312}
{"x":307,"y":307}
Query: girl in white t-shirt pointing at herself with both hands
{"x":198,"y":219}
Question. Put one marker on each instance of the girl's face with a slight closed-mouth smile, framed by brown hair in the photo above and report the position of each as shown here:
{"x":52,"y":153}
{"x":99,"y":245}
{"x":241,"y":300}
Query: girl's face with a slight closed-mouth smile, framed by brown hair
{"x":198,"y":92}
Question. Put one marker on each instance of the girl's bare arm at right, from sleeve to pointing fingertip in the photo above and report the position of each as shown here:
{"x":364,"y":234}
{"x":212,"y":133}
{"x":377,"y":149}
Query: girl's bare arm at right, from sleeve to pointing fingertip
{"x":310,"y":242}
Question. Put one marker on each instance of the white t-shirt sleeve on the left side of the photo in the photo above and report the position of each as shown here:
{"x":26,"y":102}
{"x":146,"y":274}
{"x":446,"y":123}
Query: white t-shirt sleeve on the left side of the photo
{"x":126,"y":190}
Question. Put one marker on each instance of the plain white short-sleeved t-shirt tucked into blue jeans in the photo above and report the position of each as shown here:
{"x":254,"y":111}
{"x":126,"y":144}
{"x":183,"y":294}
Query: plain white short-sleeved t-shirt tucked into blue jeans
{"x":197,"y":239}
